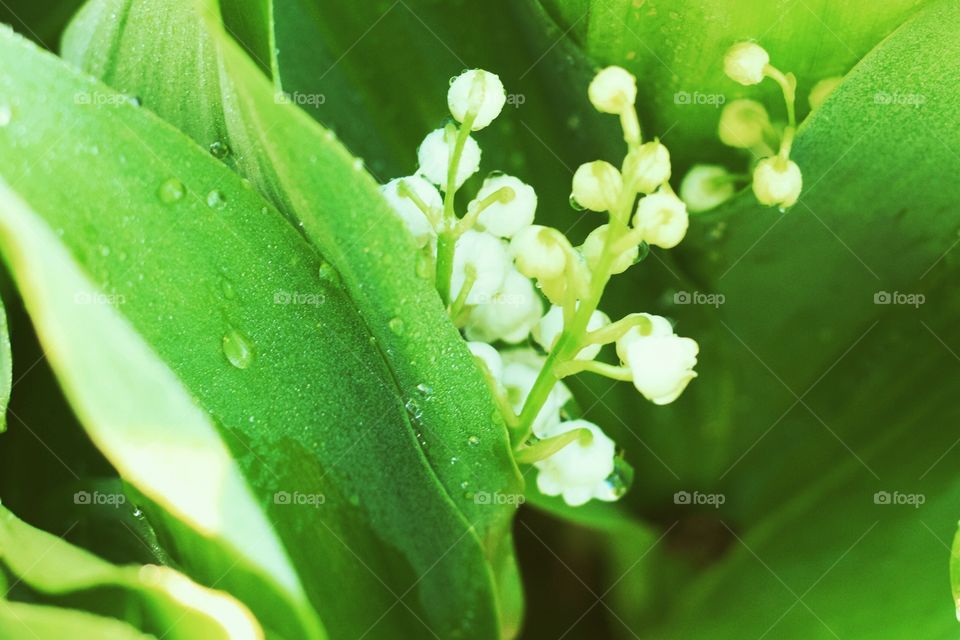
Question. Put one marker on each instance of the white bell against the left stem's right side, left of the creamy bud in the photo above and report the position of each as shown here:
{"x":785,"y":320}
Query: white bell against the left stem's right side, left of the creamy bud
{"x":483,"y":259}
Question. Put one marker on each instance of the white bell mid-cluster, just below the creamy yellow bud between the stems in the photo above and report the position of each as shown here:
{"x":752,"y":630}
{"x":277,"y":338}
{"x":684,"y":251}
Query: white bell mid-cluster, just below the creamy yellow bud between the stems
{"x":509,"y":315}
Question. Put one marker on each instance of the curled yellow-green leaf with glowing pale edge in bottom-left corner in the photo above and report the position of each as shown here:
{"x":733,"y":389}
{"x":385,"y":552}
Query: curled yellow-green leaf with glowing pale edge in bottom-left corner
{"x":178,"y":607}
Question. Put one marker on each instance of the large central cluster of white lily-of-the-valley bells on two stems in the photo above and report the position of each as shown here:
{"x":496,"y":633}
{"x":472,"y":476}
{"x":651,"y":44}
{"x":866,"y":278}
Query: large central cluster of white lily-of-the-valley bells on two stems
{"x":495,"y":269}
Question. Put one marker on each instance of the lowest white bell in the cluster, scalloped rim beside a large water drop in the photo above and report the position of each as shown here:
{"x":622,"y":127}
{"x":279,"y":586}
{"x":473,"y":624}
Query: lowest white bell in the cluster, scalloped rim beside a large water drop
{"x":579,"y":471}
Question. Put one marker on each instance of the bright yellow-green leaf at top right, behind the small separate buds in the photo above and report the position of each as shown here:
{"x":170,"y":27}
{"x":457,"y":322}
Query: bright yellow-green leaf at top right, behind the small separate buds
{"x":676,"y":50}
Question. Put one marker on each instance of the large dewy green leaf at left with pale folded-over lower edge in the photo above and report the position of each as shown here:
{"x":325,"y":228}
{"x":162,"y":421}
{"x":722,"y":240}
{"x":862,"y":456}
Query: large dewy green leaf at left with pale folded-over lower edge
{"x":223,"y":379}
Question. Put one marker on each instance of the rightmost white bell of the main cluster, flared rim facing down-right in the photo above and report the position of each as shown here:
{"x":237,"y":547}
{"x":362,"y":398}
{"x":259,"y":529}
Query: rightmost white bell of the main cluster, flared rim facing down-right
{"x":660,"y":362}
